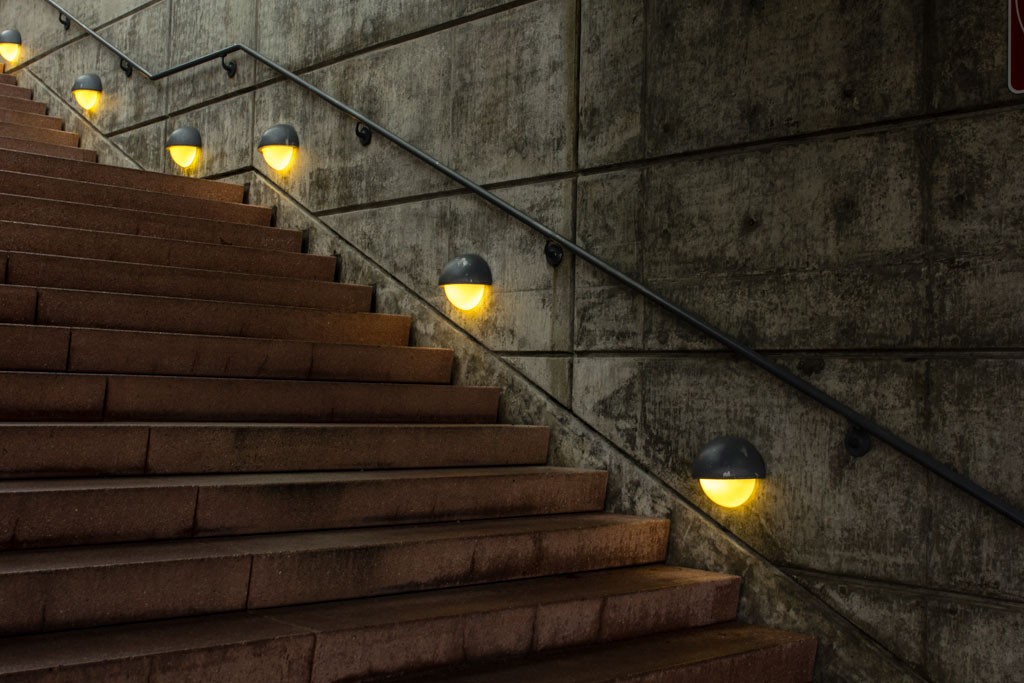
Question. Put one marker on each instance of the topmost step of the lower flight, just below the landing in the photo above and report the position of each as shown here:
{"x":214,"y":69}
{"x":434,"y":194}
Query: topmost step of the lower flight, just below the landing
{"x":116,"y":176}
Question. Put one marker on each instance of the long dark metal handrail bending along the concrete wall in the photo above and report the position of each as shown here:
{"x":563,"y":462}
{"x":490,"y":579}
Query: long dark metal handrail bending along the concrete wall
{"x":862,"y":429}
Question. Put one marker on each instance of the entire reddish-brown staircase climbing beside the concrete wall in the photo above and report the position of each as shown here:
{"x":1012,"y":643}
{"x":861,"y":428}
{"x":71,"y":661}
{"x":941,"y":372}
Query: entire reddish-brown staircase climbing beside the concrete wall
{"x":219,"y":465}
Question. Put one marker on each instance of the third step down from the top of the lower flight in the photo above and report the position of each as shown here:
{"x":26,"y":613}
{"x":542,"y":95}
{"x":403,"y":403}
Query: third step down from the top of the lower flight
{"x":147,"y":224}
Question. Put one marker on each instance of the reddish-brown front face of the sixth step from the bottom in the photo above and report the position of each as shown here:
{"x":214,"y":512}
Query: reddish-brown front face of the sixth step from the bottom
{"x":58,"y":397}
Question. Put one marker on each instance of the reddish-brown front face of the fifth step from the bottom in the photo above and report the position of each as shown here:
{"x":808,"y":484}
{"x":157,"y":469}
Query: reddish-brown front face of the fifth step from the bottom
{"x":105,"y":449}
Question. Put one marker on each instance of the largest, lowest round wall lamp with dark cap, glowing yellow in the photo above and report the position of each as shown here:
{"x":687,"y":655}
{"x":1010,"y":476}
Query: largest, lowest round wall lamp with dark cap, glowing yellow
{"x":729,"y":469}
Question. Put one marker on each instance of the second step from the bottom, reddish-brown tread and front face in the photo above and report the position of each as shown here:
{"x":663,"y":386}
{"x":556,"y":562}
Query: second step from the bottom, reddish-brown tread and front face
{"x":377,"y":636}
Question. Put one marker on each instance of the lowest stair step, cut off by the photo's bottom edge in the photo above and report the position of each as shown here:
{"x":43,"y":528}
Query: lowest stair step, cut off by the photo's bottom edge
{"x":724,"y":654}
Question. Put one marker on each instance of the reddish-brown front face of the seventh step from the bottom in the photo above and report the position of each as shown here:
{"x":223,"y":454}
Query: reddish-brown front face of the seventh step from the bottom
{"x":41,"y":349}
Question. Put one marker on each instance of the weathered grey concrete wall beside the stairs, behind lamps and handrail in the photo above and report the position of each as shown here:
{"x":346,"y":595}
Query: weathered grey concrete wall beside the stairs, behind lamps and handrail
{"x":843,"y":198}
